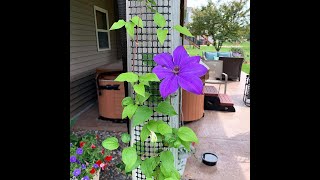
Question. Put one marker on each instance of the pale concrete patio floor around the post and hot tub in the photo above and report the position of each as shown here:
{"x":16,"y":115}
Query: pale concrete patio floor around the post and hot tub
{"x":227,"y":134}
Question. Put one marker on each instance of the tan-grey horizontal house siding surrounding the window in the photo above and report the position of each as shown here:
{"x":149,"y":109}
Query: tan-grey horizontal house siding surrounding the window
{"x":84,"y":54}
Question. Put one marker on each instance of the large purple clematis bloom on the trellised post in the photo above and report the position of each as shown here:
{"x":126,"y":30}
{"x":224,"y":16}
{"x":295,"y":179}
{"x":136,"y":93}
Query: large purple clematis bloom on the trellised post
{"x":181,"y":70}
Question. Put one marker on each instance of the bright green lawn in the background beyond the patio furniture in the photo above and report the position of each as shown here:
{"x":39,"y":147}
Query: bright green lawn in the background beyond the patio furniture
{"x":225,"y":48}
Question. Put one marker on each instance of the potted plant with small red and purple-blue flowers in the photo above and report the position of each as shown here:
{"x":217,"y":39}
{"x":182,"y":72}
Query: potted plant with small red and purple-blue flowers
{"x":87,"y":158}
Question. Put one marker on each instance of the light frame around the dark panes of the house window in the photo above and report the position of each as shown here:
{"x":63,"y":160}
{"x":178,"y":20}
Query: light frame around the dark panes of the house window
{"x":96,"y":8}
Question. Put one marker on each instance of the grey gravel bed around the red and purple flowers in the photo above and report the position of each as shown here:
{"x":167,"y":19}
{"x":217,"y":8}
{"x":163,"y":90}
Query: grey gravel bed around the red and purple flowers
{"x":111,"y":172}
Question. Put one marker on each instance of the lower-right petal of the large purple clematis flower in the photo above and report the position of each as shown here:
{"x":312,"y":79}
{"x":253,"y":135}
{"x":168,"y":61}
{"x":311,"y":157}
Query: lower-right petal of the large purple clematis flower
{"x":190,"y":83}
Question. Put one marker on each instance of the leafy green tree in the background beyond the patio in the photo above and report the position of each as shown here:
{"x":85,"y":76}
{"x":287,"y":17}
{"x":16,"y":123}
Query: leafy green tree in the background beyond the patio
{"x":225,"y":22}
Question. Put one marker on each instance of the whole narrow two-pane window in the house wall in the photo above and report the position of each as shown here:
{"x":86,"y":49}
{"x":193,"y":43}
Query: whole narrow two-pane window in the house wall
{"x":102,"y":29}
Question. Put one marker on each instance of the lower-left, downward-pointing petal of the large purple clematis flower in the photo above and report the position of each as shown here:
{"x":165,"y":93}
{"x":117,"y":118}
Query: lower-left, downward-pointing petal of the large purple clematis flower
{"x":169,"y":85}
